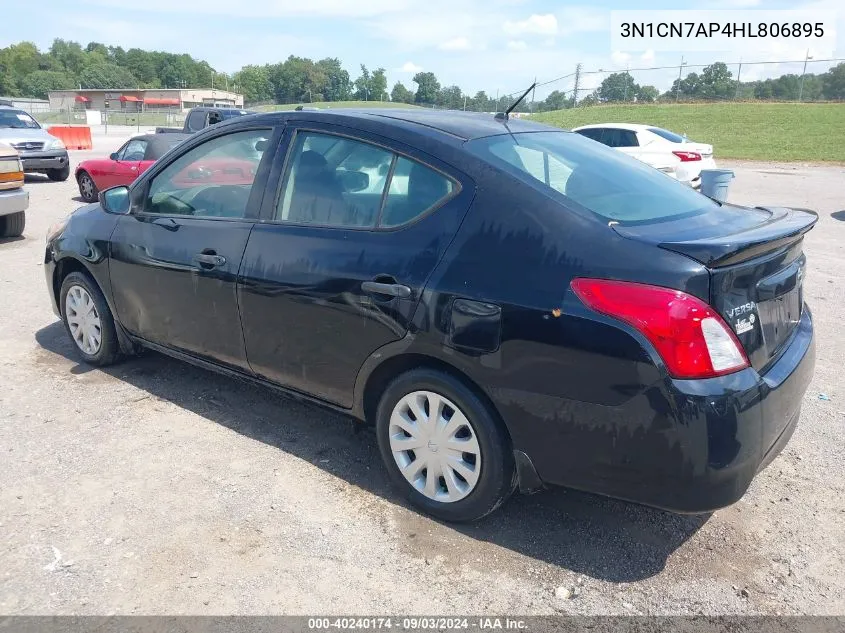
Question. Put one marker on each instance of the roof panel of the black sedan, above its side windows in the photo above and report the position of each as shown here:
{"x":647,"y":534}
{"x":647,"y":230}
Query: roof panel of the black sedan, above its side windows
{"x":458,"y":125}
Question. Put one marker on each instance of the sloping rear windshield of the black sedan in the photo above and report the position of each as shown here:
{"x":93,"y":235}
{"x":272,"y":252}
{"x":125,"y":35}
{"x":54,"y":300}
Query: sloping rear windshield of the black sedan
{"x":598,"y":178}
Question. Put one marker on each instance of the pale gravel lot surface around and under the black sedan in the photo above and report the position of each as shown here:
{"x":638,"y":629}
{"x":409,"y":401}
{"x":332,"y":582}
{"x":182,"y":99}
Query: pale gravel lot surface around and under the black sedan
{"x":154,"y":487}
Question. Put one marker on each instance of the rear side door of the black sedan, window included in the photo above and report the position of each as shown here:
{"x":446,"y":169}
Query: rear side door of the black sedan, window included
{"x":337,"y":268}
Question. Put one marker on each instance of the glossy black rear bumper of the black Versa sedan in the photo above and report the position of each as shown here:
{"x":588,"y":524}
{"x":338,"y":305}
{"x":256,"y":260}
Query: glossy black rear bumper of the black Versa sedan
{"x":688,"y":446}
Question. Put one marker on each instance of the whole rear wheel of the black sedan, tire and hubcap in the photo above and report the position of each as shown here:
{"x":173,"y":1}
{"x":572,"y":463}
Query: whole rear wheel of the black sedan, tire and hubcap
{"x":443,"y":447}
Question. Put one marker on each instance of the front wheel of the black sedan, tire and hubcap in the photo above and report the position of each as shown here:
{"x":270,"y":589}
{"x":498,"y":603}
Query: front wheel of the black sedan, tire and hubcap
{"x":88,"y":320}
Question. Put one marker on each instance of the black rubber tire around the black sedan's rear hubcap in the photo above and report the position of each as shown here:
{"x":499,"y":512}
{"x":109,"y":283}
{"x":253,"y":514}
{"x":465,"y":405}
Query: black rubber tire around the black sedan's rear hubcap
{"x":497,"y":479}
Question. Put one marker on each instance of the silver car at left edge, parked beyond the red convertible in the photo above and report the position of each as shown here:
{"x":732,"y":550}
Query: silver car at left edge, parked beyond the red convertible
{"x":39,"y":151}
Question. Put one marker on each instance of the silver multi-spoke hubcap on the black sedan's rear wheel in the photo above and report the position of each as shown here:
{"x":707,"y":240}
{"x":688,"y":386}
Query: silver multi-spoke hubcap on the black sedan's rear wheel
{"x":435,"y":446}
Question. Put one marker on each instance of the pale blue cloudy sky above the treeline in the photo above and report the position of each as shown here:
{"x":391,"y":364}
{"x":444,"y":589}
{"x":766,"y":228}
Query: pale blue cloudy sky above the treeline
{"x":491,"y":45}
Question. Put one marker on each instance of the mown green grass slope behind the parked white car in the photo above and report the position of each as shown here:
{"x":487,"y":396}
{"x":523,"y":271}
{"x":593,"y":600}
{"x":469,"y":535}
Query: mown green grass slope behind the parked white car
{"x":754,"y":131}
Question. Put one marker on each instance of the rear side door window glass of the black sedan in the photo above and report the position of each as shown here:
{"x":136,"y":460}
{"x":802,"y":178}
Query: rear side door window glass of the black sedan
{"x":341,"y":182}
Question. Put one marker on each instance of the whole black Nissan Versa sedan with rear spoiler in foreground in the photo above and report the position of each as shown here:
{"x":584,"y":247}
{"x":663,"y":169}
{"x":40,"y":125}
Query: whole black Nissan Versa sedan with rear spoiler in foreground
{"x":511,"y":305}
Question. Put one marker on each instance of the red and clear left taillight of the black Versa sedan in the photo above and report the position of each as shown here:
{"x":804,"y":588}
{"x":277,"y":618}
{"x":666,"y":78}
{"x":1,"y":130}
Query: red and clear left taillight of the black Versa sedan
{"x":690,"y":337}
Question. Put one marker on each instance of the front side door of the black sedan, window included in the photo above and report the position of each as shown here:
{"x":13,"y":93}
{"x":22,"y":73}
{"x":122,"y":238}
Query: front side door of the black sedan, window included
{"x":175,"y":258}
